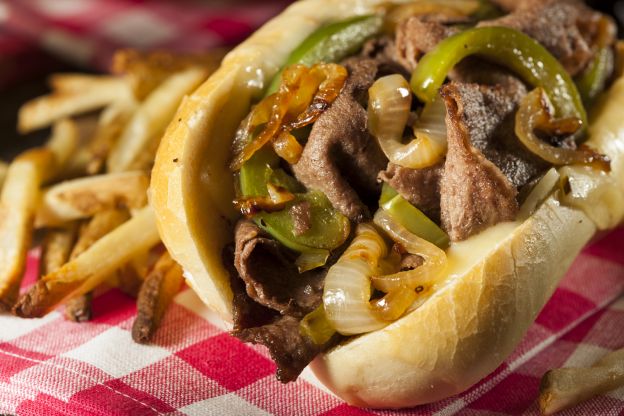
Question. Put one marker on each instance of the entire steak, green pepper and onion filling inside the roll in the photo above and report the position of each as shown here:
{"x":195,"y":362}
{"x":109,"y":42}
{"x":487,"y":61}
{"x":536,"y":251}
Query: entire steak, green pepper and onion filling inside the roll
{"x":385,"y":140}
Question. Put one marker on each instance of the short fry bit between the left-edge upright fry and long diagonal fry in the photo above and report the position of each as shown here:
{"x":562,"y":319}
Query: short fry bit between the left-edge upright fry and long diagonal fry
{"x":56,"y":248}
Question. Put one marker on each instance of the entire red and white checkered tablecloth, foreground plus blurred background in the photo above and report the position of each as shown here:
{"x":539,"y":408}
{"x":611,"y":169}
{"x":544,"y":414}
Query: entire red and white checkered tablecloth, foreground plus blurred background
{"x":53,"y":367}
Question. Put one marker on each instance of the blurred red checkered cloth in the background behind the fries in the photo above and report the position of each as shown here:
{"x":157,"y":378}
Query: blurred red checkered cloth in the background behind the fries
{"x":87,"y":32}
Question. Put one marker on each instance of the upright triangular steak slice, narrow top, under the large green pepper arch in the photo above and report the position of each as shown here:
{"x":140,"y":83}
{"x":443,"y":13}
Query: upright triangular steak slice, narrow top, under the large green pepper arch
{"x":475,"y":194}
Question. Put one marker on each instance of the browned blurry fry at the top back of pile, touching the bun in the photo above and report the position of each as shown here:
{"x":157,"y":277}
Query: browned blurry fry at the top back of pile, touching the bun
{"x":146,"y":71}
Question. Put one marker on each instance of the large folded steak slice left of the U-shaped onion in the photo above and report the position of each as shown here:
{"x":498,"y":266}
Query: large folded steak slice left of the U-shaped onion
{"x":341,"y":158}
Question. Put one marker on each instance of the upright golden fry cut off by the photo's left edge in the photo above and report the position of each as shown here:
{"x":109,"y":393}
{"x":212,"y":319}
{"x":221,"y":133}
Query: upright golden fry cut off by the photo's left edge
{"x":18,"y":203}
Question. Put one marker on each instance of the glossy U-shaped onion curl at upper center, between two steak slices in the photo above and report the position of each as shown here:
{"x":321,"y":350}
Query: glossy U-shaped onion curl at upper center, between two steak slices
{"x":388,"y":111}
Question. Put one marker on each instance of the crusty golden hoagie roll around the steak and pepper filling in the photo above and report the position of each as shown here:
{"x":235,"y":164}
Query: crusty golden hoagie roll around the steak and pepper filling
{"x":497,"y":283}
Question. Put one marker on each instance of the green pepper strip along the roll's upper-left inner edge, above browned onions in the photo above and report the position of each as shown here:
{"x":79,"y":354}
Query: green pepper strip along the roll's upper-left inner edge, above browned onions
{"x":331,"y":43}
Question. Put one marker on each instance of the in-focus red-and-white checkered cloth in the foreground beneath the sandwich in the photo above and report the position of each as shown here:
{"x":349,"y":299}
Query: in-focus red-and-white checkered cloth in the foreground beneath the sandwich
{"x":194,"y":367}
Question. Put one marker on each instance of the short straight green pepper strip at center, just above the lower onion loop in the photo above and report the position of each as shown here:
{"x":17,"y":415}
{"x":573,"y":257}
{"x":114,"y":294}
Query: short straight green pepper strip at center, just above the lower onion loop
{"x":412,"y":218}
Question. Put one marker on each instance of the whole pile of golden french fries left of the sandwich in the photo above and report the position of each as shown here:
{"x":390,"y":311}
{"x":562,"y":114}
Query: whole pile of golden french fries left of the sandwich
{"x":83,"y":195}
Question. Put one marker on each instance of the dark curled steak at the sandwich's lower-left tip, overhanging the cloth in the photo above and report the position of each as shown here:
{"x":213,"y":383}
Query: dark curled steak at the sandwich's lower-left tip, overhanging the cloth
{"x":258,"y":323}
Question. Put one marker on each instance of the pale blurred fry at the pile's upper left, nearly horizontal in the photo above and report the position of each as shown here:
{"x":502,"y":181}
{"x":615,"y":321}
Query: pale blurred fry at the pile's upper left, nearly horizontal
{"x":95,"y":92}
